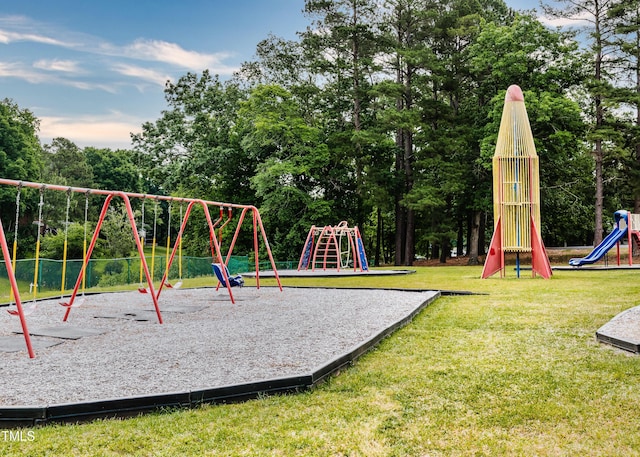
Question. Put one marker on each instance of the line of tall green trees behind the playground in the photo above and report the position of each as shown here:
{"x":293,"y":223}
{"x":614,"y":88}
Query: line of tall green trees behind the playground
{"x":385,"y":114}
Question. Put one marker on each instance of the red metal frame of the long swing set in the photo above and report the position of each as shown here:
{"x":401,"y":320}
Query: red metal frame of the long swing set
{"x":216,"y":254}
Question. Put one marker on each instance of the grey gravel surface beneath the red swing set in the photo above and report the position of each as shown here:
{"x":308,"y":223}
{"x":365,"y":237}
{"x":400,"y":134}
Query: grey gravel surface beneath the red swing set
{"x":204,"y":342}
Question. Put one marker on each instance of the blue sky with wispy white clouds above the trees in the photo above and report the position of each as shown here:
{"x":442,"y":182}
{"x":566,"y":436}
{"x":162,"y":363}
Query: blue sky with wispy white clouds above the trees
{"x":94,"y":71}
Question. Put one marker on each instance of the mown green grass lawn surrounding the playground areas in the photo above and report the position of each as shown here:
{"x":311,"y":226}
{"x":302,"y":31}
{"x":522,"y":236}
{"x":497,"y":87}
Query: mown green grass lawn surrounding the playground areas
{"x":516,"y":372}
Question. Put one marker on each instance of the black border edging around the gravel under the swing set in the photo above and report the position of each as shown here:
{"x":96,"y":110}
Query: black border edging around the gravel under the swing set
{"x":14,"y":417}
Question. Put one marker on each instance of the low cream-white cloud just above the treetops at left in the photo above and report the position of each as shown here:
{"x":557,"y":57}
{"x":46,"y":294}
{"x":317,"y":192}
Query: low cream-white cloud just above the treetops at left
{"x":111,"y":130}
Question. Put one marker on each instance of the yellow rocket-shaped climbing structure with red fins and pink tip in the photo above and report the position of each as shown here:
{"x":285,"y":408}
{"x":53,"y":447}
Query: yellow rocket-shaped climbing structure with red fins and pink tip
{"x":516,"y":192}
